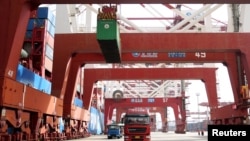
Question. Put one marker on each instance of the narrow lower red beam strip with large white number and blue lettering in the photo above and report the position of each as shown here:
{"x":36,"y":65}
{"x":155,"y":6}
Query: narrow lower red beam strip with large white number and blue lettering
{"x":160,"y":57}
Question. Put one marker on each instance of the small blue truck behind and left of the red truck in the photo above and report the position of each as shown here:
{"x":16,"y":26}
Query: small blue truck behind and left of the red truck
{"x":115,"y":131}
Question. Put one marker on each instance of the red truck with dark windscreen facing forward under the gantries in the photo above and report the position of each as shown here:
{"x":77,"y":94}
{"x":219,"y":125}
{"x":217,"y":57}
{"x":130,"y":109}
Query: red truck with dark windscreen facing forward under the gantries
{"x":137,"y":125}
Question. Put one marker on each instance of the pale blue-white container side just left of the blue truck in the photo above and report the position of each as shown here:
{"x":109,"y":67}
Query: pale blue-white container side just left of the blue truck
{"x":95,"y":123}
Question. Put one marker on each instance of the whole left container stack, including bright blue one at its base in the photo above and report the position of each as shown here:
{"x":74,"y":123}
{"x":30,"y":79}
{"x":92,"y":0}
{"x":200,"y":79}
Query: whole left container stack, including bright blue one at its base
{"x":38,"y":48}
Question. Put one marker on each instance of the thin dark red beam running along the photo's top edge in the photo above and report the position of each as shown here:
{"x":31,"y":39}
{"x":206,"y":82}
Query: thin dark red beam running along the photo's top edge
{"x":142,"y":1}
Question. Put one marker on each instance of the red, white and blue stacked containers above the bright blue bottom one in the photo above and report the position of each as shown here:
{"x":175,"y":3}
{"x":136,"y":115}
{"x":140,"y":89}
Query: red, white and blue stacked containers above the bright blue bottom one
{"x":40,"y":39}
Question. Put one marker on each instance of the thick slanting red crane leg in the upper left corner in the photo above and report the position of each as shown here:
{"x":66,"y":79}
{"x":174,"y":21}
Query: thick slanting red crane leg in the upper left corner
{"x":13,"y":25}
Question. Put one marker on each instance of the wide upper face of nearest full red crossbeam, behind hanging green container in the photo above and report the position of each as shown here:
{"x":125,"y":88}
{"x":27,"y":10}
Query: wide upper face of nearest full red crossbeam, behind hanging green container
{"x":157,"y":42}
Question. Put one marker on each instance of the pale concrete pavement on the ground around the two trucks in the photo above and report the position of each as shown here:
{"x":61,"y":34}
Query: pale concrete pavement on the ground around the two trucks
{"x":155,"y":136}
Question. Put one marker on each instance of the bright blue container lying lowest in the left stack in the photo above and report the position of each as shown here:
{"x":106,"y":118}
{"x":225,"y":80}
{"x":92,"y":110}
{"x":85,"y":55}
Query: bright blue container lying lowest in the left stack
{"x":28,"y":77}
